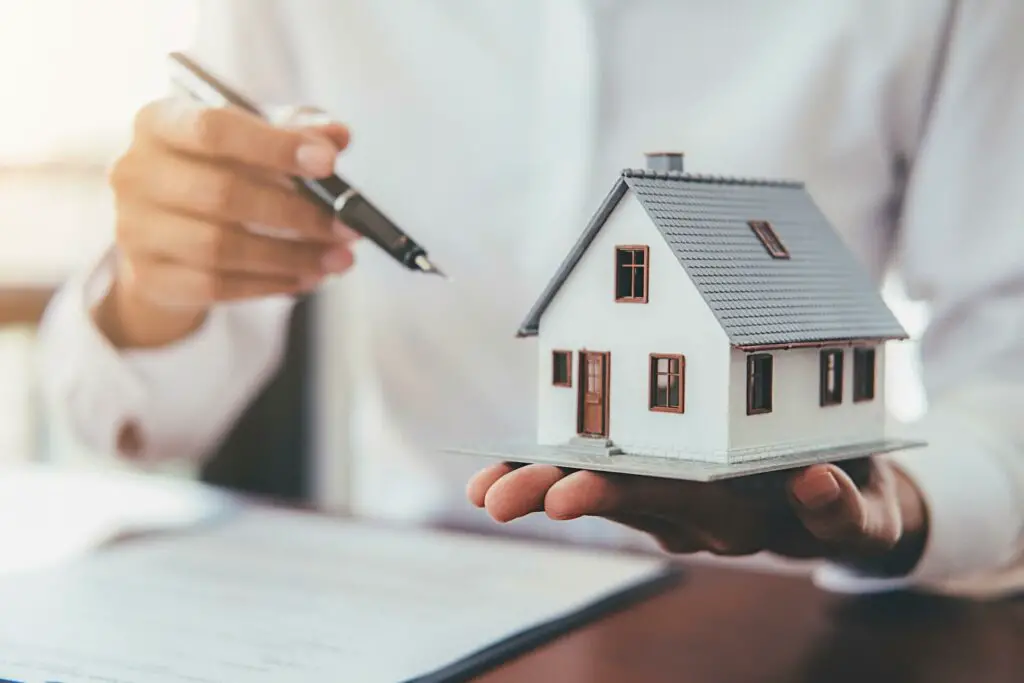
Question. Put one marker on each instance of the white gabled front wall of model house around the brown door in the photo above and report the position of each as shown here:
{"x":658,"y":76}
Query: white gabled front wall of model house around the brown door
{"x":676,"y":320}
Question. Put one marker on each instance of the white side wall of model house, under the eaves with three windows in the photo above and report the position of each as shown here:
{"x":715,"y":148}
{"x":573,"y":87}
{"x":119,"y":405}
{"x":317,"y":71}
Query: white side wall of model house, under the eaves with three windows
{"x":797,"y":416}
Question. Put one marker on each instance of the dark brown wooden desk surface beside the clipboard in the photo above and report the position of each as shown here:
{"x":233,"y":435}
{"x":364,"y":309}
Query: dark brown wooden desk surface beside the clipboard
{"x":724,"y":626}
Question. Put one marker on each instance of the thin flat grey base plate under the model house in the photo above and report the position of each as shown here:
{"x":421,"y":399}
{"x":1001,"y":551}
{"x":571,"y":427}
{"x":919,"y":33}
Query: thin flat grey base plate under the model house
{"x":605,"y":457}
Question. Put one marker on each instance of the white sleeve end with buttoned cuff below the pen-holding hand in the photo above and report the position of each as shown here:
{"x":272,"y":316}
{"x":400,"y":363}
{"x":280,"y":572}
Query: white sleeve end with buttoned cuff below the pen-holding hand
{"x":181,"y":399}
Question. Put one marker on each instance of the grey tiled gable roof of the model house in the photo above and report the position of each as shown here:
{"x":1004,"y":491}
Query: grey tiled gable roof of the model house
{"x":820,"y":294}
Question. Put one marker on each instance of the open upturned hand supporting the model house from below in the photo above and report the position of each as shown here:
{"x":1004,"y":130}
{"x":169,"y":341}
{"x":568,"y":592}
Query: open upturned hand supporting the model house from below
{"x":820,"y":513}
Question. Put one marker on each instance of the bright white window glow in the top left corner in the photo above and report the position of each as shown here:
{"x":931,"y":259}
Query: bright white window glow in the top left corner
{"x":77,"y":70}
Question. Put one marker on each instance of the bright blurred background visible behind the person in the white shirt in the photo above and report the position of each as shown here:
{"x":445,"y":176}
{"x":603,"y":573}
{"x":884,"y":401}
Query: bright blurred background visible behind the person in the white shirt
{"x":72,"y":75}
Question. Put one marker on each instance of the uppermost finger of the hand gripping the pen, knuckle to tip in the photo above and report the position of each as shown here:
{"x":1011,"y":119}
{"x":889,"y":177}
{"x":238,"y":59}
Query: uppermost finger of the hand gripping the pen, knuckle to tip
{"x":232,"y":135}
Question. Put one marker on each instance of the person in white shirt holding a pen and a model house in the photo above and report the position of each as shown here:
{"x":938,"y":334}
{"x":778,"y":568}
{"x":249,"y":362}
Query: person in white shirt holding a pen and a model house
{"x":491,"y":131}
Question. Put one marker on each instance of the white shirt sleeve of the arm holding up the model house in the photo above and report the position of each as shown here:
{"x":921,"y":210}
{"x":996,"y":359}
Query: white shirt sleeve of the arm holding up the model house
{"x":962,"y":252}
